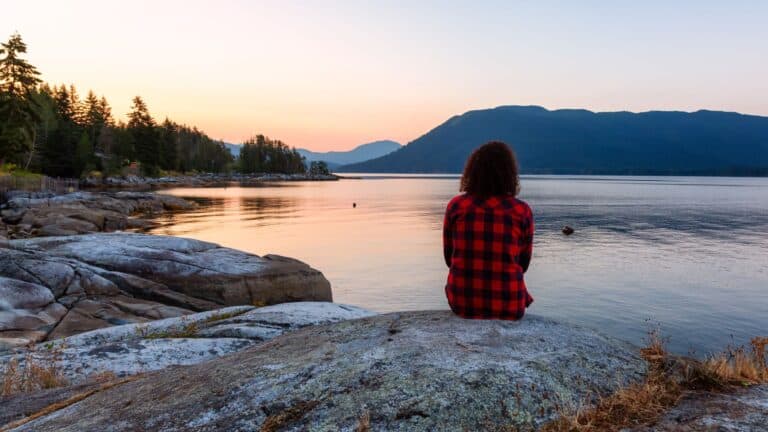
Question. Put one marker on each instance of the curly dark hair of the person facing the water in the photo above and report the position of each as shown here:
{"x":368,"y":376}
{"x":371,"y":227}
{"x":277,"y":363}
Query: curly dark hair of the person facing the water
{"x":491,"y":170}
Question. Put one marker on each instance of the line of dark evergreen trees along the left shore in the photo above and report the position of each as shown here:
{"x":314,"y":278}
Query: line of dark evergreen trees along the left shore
{"x":52,"y":130}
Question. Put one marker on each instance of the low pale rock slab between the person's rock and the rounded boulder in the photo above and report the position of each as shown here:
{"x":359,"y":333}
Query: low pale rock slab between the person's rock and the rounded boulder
{"x":124,"y":350}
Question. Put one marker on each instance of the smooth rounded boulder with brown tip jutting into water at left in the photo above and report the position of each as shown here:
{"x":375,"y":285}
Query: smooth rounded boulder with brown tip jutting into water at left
{"x":194,"y":268}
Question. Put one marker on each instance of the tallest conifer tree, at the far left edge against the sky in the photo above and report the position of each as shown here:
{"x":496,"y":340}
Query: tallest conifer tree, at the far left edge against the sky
{"x":18,"y":110}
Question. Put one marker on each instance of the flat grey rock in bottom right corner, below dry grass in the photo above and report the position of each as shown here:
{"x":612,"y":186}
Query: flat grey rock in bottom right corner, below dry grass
{"x":742,"y":410}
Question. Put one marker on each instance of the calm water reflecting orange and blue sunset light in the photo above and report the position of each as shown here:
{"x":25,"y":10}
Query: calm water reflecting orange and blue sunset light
{"x":687,"y":254}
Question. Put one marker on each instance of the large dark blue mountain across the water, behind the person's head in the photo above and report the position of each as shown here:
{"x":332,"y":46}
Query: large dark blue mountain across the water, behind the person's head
{"x":574,"y":141}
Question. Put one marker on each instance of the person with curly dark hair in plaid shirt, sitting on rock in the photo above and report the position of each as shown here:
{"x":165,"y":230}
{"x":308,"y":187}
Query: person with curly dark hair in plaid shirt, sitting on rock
{"x":488,"y":238}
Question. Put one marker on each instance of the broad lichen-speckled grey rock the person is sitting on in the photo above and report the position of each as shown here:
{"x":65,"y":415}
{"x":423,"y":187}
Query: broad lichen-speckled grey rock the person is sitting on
{"x":414,"y":371}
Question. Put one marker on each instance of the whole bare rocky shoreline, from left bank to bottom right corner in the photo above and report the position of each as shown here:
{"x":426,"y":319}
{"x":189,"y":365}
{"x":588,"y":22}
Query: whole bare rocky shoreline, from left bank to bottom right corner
{"x":160,"y":333}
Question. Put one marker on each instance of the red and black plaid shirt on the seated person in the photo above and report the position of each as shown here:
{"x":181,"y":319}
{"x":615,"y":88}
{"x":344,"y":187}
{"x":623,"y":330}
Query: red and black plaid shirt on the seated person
{"x":487,"y":244}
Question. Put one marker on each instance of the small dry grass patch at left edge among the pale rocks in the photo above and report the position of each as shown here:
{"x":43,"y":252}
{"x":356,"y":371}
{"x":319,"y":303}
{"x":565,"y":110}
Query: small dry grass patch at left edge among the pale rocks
{"x":36,"y":372}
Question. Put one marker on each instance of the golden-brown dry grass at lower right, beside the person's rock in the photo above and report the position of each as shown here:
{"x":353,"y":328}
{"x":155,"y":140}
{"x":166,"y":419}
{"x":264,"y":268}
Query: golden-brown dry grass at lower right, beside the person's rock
{"x":667,"y":379}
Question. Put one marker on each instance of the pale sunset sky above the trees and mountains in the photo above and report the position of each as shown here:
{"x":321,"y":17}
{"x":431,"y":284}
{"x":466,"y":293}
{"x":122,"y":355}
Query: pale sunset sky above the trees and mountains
{"x":330,"y":75}
